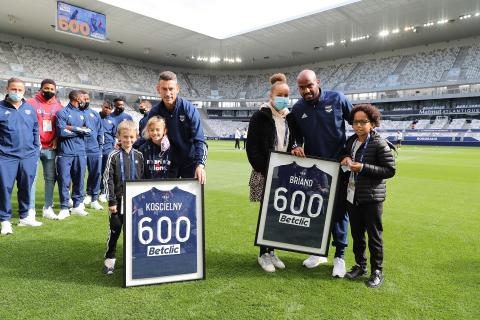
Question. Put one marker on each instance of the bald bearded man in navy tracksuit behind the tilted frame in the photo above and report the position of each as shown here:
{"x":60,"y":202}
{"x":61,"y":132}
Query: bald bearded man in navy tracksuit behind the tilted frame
{"x":319,"y":130}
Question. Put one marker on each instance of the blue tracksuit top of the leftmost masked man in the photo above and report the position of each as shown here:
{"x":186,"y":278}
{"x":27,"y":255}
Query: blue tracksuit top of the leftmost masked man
{"x":19,"y":131}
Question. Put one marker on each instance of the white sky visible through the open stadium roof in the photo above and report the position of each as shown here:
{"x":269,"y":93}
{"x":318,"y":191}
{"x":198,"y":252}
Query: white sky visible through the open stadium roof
{"x":206,"y":16}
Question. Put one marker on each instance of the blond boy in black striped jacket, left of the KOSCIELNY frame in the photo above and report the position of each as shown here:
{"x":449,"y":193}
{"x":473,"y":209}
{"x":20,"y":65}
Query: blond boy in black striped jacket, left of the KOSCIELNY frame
{"x":123,"y":164}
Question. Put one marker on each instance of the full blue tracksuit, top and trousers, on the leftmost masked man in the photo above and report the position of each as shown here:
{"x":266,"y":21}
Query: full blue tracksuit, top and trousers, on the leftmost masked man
{"x":19,"y":151}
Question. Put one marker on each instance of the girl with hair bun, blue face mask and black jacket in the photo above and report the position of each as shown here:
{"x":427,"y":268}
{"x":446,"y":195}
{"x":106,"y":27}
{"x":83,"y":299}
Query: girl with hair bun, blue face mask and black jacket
{"x":269,"y":130}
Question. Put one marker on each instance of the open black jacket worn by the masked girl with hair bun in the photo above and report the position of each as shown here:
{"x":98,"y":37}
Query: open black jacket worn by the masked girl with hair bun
{"x":261,"y":138}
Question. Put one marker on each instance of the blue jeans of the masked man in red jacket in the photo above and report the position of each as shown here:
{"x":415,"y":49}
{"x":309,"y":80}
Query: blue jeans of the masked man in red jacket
{"x":47,"y":157}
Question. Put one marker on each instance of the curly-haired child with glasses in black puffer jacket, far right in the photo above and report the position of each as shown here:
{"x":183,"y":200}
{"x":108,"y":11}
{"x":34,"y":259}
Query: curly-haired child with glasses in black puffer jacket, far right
{"x":370,"y":160}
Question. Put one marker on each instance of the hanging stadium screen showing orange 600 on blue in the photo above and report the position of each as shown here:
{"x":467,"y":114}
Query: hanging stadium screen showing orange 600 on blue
{"x":80,"y":21}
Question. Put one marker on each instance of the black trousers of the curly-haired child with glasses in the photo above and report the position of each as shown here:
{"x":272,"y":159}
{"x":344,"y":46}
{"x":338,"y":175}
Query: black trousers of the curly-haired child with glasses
{"x":367,"y":218}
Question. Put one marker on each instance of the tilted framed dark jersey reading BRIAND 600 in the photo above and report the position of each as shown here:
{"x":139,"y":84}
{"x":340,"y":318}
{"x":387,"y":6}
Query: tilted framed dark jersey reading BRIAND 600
{"x":299,"y":199}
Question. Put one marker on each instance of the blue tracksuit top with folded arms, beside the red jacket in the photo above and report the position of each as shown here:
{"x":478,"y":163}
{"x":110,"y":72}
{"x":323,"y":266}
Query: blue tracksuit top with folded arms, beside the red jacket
{"x":71,"y":142}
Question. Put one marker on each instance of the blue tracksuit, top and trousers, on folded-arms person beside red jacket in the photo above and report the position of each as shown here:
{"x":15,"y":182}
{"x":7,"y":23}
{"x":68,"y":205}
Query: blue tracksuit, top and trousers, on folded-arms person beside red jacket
{"x":71,"y":155}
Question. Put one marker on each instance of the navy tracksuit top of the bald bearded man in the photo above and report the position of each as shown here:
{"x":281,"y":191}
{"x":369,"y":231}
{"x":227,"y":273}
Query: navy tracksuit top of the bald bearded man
{"x":320,"y":126}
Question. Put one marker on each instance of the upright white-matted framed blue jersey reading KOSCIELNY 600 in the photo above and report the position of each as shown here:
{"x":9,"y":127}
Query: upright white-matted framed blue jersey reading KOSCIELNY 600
{"x":164,"y":238}
